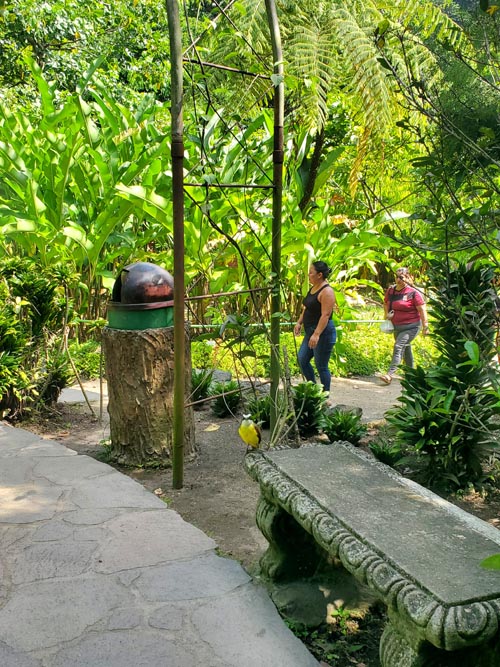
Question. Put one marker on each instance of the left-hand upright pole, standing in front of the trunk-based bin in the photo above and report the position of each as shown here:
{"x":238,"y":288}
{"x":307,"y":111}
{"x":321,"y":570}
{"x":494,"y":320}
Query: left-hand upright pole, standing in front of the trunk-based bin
{"x":177,"y":150}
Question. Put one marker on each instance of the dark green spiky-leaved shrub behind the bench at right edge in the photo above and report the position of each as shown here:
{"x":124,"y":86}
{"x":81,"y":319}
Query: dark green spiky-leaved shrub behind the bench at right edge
{"x":446,"y":412}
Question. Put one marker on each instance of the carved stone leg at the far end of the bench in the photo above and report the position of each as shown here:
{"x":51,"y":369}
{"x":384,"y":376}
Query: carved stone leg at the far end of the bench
{"x":292,"y":552}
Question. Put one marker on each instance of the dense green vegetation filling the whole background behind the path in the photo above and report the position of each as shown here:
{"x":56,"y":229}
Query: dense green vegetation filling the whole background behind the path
{"x":391,"y":157}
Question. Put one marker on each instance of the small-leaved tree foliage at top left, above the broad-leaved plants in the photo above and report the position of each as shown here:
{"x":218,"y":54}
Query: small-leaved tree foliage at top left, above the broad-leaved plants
{"x":130,"y":40}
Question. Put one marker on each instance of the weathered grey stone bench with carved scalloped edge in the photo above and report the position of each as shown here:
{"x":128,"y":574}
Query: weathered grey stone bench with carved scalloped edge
{"x":418,"y":553}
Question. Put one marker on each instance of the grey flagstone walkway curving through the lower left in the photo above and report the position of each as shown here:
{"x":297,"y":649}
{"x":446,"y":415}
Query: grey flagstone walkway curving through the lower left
{"x":95,"y":571}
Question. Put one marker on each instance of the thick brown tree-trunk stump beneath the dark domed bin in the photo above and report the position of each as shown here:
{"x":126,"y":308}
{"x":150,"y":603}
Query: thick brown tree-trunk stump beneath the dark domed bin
{"x":140,"y":375}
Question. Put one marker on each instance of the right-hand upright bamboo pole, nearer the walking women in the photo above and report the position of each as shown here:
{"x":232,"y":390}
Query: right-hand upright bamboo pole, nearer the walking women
{"x":279,"y":112}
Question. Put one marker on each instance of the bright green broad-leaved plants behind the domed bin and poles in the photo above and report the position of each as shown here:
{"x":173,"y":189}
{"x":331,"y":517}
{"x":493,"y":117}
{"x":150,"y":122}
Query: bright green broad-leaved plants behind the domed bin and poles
{"x":113,"y":204}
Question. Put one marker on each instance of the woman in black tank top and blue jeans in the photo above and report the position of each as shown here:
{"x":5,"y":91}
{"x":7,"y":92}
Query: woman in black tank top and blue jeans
{"x":320,"y":334}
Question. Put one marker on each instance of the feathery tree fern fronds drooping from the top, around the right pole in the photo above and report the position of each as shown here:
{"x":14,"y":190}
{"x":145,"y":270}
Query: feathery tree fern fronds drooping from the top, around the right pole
{"x":335,"y":50}
